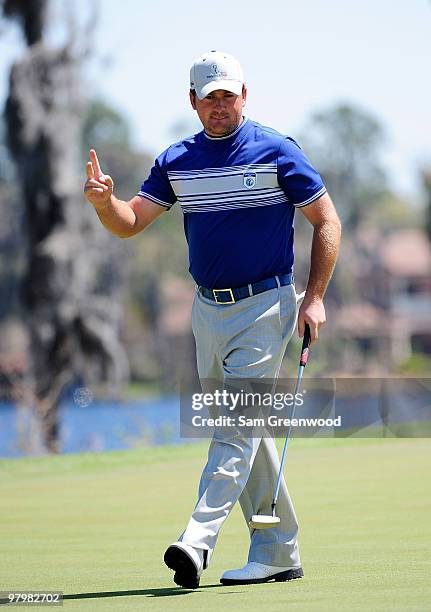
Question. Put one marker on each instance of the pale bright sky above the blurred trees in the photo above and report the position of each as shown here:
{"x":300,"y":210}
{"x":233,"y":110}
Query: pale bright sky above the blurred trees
{"x":298,"y":58}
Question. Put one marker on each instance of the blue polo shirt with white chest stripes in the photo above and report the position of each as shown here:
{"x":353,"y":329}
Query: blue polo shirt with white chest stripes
{"x":238,"y":194}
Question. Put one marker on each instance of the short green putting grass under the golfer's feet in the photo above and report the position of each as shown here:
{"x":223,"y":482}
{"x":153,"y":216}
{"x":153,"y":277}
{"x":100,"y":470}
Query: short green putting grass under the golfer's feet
{"x":96,"y":525}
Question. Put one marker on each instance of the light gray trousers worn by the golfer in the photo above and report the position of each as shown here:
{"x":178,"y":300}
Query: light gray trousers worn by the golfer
{"x":245,"y":340}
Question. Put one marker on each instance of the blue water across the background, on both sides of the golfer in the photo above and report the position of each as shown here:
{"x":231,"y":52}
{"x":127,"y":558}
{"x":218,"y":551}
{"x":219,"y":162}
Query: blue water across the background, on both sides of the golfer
{"x":87,"y":425}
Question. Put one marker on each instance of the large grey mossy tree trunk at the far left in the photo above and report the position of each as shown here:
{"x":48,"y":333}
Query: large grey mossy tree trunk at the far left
{"x":73,"y":317}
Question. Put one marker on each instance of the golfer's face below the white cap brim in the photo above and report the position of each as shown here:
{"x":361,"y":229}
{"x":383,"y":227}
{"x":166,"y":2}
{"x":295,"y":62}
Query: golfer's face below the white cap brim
{"x":220,"y":112}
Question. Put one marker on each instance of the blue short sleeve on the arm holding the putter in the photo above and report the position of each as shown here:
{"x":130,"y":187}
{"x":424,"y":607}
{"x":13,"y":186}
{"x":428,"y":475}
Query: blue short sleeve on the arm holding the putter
{"x":301,"y":183}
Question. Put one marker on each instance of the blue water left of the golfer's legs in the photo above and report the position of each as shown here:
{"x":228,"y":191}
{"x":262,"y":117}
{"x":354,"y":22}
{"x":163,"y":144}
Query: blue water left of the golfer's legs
{"x":98,"y":427}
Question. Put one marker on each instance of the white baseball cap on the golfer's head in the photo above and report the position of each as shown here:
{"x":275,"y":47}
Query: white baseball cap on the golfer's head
{"x":216,"y":70}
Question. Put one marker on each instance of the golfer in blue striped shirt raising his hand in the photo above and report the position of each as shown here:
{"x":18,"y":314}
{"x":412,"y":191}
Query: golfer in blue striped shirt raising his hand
{"x":239,"y":185}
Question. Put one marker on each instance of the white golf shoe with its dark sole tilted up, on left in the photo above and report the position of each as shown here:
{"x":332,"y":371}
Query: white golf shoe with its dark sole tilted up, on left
{"x":187,"y":562}
